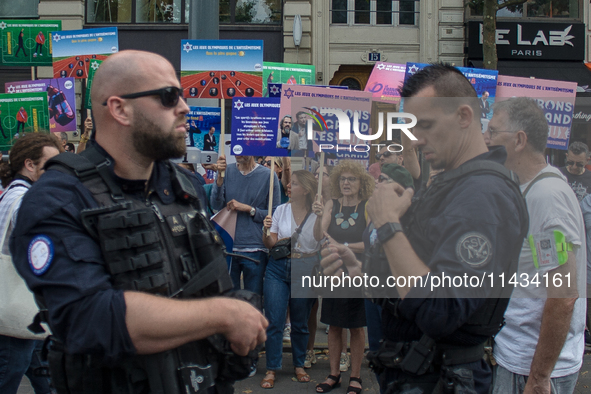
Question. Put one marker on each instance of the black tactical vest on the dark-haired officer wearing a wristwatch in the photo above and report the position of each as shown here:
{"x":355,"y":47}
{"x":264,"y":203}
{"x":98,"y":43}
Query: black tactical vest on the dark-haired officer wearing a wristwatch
{"x":488,"y":320}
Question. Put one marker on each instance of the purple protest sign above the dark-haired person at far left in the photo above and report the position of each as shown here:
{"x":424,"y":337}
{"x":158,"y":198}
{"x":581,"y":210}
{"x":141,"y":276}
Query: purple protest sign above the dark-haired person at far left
{"x":61,"y":98}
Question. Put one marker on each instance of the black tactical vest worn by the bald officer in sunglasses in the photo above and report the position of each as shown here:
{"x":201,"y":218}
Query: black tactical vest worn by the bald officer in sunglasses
{"x":170,"y":250}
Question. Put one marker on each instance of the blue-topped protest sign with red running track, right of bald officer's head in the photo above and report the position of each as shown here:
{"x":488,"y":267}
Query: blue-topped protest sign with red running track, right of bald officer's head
{"x":222,"y":68}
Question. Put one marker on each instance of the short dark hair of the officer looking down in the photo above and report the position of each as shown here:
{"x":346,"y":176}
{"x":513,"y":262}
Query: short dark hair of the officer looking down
{"x":447,"y":81}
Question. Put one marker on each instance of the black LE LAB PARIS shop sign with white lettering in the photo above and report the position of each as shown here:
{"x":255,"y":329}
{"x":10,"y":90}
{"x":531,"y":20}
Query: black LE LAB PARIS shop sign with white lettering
{"x":531,"y":41}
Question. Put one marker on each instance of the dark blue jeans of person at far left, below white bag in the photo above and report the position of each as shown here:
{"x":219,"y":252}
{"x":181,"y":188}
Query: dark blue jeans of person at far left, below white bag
{"x":17,"y":358}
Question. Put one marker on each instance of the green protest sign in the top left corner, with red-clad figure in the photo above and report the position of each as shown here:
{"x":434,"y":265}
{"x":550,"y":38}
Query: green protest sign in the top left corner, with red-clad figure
{"x":27,"y":42}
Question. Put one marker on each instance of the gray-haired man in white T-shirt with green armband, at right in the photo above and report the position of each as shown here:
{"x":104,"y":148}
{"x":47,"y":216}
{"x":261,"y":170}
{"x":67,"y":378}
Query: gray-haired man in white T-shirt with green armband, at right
{"x":540,"y":348}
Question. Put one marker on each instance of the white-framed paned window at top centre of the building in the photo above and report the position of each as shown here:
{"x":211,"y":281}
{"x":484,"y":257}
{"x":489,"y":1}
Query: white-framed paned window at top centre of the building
{"x":375,"y":12}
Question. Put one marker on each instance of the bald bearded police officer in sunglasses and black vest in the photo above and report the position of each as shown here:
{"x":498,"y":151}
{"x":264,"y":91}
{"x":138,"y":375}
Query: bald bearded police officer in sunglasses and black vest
{"x":121,"y":254}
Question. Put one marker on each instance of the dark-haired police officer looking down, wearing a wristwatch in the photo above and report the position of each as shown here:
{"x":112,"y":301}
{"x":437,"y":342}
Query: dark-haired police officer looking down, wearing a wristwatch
{"x":470,"y":221}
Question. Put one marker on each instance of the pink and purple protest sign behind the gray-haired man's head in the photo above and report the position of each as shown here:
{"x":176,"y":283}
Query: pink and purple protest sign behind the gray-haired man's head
{"x":556,"y":98}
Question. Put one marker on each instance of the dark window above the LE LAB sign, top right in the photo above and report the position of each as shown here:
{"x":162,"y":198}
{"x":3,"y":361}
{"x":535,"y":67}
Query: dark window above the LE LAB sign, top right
{"x":533,"y":9}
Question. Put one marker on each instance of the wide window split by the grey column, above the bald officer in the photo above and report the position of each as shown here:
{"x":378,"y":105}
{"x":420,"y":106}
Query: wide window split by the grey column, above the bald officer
{"x":170,"y":11}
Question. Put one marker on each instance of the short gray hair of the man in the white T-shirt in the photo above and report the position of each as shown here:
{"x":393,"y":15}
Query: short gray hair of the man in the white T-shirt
{"x":525,"y":114}
